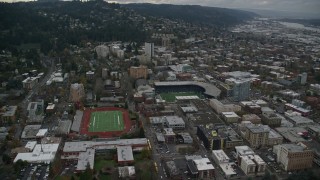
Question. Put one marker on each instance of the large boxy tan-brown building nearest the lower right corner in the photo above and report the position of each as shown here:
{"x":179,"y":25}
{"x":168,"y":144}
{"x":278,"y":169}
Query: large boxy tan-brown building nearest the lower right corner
{"x":294,"y":156}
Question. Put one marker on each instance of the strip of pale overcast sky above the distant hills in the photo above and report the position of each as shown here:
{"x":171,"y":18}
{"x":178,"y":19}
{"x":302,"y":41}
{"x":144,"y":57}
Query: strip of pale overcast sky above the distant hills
{"x":306,"y":6}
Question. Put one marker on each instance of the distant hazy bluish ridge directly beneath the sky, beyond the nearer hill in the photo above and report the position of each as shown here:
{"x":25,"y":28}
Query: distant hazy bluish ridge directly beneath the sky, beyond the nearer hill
{"x":194,"y":13}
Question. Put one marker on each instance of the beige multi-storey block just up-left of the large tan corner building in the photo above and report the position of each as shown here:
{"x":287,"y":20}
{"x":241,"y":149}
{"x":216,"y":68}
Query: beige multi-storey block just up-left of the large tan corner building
{"x":257,"y":135}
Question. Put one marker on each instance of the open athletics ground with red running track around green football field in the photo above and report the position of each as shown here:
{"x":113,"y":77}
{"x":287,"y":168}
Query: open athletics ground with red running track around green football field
{"x":105,"y":122}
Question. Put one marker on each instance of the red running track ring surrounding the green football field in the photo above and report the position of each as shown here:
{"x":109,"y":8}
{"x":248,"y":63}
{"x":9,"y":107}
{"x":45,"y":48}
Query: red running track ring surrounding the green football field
{"x":84,"y":128}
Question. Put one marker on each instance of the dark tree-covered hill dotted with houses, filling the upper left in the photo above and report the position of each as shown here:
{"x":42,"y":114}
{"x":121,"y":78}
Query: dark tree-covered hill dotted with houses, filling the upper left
{"x":55,"y":25}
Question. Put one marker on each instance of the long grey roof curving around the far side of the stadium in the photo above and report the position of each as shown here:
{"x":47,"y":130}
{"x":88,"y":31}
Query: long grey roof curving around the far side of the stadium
{"x":210,"y":90}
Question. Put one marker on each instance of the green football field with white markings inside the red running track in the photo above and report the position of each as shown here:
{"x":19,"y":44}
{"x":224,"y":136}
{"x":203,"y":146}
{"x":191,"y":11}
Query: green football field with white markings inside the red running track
{"x":103,"y":121}
